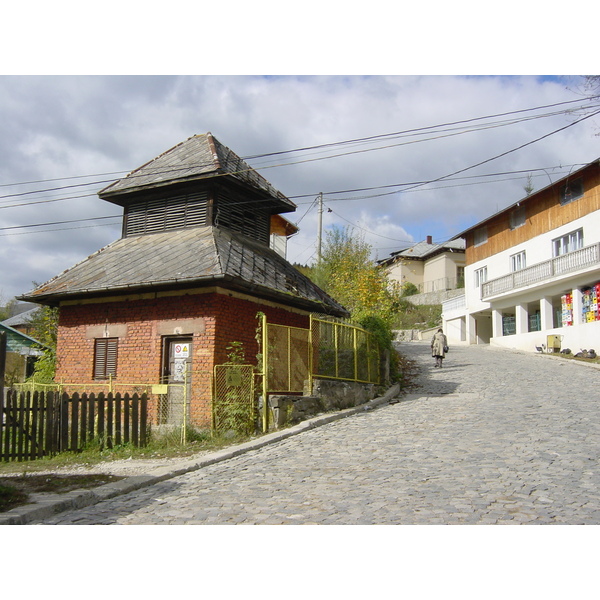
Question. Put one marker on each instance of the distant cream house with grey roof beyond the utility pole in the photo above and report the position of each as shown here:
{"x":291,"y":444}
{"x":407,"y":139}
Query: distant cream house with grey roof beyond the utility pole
{"x":431,"y":267}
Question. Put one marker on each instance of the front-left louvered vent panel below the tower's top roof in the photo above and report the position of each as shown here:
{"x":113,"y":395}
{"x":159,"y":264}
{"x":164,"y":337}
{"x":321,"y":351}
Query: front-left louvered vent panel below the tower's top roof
{"x":162,"y":214}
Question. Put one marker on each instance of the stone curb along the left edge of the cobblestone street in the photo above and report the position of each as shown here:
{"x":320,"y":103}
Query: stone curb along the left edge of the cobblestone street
{"x":48,"y":505}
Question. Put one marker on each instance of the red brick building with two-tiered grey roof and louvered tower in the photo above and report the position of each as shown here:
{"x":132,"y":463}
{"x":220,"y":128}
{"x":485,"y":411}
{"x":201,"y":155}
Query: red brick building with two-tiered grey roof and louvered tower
{"x":187,"y":278}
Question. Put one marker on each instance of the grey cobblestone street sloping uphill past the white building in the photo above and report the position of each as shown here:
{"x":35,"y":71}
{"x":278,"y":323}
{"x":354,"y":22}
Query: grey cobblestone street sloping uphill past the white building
{"x":495,"y":437}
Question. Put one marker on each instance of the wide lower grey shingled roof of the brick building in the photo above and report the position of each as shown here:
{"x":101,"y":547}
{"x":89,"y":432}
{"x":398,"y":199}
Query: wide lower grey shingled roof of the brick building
{"x":200,"y":256}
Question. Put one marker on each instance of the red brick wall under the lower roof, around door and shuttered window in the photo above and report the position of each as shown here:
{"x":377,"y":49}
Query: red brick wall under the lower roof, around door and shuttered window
{"x":226,"y":319}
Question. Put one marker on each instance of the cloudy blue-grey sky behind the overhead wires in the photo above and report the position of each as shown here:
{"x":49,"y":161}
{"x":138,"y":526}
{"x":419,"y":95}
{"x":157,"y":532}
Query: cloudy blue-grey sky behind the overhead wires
{"x":394,"y":155}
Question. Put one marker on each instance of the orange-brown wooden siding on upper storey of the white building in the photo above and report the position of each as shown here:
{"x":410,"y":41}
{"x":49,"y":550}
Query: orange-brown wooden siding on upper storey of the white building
{"x":543,"y":214}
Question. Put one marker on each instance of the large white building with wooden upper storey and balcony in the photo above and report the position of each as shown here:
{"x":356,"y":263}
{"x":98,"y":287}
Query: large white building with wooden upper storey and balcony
{"x":532,"y":276}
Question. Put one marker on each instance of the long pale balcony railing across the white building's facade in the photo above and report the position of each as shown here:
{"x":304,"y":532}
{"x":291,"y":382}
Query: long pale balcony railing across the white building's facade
{"x":561,"y":265}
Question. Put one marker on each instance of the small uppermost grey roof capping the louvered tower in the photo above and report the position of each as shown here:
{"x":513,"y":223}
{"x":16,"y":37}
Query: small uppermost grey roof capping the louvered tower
{"x":198,"y":157}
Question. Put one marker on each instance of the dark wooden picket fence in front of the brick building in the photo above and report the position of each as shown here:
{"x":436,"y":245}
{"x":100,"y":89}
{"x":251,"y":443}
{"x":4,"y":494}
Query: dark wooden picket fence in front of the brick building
{"x":33,"y":425}
